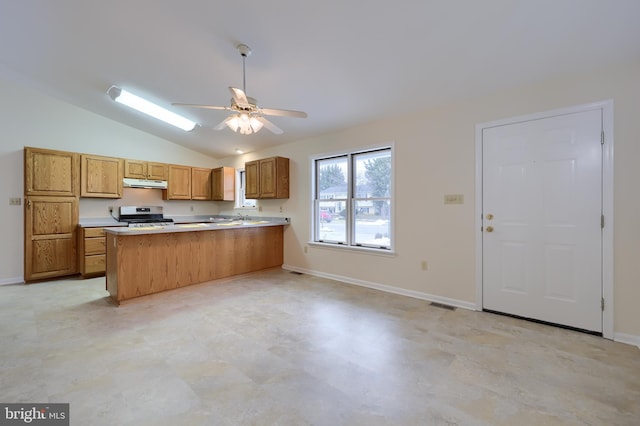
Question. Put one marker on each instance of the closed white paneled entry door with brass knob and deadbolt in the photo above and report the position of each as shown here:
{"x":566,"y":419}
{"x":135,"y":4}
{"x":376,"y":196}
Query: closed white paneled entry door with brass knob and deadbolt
{"x":542,"y":209}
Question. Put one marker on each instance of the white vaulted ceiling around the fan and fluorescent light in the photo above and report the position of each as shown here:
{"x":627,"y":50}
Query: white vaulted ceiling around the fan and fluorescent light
{"x":343,"y":62}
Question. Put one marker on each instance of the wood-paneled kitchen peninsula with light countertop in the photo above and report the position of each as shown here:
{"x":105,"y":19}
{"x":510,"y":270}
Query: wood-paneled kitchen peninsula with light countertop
{"x":147,"y":261}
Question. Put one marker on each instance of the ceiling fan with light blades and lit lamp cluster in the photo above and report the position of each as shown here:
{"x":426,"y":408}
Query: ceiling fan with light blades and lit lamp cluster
{"x":247,"y":117}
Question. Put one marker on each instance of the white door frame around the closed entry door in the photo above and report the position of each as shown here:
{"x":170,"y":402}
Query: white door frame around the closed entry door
{"x":607,"y":200}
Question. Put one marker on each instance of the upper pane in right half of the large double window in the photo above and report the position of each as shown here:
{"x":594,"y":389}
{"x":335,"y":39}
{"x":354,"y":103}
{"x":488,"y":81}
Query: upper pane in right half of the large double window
{"x":373,"y":174}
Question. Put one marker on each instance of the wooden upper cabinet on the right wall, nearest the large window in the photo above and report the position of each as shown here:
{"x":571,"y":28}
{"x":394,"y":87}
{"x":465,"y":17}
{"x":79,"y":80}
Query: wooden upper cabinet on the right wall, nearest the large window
{"x":267,"y":178}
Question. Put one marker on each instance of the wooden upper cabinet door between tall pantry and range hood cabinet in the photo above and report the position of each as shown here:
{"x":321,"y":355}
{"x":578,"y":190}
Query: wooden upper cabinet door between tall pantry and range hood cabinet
{"x":101,"y":177}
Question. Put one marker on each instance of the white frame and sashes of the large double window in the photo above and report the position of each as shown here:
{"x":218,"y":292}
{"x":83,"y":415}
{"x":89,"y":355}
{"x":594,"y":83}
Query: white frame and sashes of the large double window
{"x":349,"y":245}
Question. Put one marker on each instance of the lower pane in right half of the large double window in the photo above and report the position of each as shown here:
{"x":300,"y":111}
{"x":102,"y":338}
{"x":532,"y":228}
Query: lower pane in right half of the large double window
{"x":372,"y":223}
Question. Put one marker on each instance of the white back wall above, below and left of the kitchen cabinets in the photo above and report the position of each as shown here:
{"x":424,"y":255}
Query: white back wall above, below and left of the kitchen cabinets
{"x":28,"y":118}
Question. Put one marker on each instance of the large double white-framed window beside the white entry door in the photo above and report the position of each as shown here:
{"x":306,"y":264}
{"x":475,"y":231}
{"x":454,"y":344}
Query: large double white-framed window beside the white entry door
{"x":353,"y":199}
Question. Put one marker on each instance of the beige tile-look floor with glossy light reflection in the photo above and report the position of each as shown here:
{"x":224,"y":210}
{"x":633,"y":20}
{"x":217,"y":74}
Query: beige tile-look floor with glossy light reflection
{"x":277,"y":348}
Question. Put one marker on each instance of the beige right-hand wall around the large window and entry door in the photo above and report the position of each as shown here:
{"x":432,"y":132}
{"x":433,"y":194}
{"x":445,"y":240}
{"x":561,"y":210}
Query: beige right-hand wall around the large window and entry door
{"x":435,"y":155}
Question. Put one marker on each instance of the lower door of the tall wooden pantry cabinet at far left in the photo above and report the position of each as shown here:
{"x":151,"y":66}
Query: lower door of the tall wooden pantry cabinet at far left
{"x":50,"y":237}
